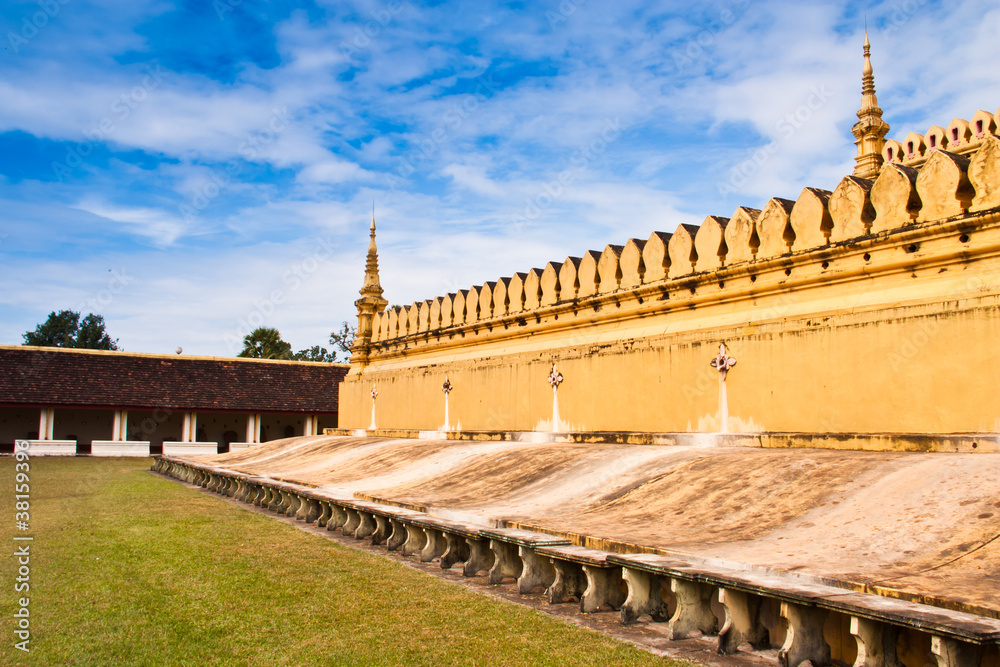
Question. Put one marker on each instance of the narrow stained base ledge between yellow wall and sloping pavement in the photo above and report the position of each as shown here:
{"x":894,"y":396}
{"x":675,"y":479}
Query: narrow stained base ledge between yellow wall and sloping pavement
{"x":900,"y":442}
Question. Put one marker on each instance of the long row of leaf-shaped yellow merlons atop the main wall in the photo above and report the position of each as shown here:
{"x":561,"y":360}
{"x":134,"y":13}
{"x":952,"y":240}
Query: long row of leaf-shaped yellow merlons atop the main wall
{"x":946,"y":185}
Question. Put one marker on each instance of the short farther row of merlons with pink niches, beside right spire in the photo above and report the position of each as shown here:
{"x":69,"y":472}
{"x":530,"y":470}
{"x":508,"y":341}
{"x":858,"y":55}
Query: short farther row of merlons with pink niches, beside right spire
{"x":961,"y":137}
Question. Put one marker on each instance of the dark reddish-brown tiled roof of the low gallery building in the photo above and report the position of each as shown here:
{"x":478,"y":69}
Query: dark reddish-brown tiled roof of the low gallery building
{"x":56,"y":377}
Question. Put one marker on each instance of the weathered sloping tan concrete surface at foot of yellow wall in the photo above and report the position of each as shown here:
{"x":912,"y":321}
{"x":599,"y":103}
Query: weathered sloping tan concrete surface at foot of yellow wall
{"x":925,"y":527}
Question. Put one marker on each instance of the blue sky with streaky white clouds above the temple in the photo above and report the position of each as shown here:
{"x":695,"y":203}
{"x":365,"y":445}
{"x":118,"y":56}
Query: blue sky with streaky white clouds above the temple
{"x":193,"y":169}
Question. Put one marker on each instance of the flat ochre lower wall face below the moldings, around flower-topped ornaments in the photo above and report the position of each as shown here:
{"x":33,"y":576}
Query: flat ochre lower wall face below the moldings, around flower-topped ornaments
{"x":922,"y":373}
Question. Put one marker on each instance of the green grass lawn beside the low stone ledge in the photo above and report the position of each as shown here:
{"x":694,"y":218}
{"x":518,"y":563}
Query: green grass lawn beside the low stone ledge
{"x":131,"y":569}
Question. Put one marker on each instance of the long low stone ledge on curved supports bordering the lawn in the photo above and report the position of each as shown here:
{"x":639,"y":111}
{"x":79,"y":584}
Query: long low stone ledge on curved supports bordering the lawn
{"x":745,"y":610}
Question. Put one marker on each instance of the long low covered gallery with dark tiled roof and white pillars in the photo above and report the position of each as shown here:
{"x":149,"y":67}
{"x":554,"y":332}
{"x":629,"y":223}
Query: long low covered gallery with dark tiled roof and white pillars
{"x":71,"y":401}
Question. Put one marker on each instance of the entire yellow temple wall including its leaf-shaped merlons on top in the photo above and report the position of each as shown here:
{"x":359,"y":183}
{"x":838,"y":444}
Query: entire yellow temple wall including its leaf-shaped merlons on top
{"x":869,"y":310}
